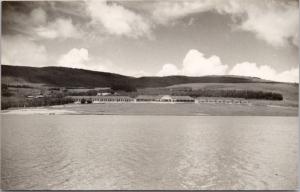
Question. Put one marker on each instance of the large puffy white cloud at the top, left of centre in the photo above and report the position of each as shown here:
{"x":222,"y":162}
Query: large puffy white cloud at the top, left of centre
{"x":117,"y":20}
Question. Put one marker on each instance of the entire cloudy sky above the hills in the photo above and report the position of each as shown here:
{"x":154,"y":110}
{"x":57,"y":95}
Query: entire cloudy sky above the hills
{"x":257,"y":38}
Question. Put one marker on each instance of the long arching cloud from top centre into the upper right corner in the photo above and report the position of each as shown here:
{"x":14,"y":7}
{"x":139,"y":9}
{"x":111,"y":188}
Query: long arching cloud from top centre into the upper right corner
{"x":276,"y":22}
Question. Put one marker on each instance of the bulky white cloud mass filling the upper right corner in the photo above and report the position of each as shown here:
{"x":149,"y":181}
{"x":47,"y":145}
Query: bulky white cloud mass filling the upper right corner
{"x":276,"y":23}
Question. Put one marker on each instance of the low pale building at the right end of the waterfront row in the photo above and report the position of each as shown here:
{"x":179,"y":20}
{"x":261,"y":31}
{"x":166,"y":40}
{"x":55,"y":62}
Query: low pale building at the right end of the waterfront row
{"x":224,"y":100}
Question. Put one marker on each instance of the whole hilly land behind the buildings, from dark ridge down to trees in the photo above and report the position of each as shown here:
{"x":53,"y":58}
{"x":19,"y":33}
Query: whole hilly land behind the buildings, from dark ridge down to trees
{"x":54,"y":83}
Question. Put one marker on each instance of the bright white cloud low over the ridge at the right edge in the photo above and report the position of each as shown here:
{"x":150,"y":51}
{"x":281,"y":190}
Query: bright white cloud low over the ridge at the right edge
{"x":265,"y":72}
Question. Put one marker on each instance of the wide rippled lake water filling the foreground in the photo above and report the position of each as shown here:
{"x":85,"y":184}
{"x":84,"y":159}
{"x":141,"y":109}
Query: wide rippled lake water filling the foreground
{"x":148,"y":152}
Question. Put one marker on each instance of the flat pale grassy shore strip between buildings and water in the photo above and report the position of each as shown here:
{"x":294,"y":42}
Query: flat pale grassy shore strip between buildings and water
{"x":156,"y":109}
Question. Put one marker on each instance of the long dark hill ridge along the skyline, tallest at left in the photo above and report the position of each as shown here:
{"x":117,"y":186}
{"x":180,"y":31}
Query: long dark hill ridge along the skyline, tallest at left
{"x":69,"y":77}
